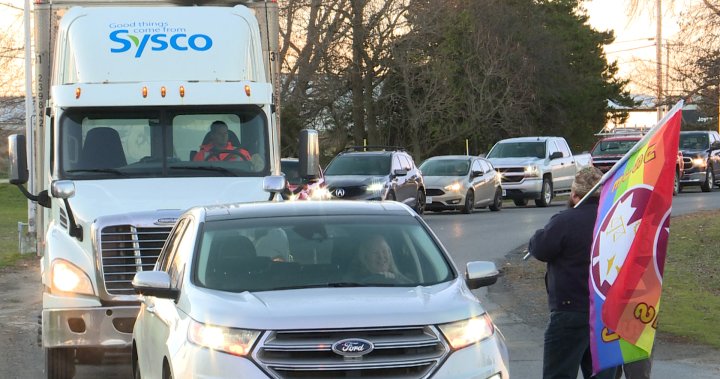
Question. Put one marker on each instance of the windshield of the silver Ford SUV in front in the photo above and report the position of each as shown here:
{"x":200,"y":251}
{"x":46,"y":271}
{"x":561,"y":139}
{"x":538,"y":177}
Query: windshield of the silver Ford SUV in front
{"x":291,"y":252}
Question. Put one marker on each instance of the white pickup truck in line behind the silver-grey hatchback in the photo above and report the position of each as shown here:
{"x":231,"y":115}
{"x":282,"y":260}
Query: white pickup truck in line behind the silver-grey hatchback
{"x":537,"y":168}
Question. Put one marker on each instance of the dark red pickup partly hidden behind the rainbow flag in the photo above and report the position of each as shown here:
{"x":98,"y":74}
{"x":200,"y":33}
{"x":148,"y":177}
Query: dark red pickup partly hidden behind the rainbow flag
{"x":610,"y":149}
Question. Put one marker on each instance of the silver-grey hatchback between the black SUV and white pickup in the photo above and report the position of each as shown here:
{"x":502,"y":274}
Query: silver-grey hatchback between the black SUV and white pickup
{"x":461,"y":182}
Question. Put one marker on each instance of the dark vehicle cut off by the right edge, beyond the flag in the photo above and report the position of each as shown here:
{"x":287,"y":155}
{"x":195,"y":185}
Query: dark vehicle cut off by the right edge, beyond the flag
{"x":701,"y":158}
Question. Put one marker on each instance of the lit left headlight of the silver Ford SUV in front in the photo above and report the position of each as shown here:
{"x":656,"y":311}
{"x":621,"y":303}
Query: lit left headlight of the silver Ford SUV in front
{"x":232,"y":341}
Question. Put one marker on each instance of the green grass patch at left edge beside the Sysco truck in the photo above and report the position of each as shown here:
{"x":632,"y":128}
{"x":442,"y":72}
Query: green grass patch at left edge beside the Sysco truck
{"x":14,"y":209}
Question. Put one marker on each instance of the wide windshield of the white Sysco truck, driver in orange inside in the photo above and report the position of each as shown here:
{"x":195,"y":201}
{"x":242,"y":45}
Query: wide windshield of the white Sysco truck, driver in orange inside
{"x":156,"y":142}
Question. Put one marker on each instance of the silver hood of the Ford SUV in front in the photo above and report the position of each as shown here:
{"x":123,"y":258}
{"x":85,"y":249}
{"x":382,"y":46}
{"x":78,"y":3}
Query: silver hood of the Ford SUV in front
{"x":334,"y":307}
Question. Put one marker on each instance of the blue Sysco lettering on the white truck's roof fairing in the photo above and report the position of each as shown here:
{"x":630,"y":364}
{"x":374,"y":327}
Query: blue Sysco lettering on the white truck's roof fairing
{"x":158,"y":42}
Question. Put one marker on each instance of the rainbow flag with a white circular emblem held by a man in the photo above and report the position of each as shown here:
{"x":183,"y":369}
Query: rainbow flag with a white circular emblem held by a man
{"x":629,"y":247}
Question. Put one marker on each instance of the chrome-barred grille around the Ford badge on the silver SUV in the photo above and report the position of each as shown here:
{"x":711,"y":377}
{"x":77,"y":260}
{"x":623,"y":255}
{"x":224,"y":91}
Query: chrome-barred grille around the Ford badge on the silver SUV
{"x":412,"y":352}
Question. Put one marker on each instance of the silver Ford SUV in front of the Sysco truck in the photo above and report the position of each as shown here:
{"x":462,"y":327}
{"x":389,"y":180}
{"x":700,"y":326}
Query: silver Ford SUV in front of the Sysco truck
{"x":216,"y":305}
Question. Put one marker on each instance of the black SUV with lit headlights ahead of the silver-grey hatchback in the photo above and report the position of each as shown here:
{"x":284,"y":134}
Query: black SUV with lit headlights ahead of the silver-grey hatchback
{"x":376,"y":173}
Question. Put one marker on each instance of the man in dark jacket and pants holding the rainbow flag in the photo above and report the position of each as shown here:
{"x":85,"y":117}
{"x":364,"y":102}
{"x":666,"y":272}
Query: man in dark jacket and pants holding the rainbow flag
{"x":564,"y":244}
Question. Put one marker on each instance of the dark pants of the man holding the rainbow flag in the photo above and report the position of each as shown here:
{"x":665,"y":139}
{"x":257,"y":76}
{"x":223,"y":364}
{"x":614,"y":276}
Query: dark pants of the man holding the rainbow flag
{"x":567,"y":341}
